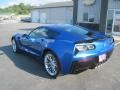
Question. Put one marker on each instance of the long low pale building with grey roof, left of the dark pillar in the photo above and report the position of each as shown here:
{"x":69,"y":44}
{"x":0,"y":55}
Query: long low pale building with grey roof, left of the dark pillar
{"x":59,"y":12}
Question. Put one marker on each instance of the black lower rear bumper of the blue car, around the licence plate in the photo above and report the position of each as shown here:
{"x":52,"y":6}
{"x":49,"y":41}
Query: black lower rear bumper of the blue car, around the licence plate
{"x":88,"y":63}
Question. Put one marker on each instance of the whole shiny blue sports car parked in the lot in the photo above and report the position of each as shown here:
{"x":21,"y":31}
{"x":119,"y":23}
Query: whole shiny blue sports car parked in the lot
{"x":65,"y":48}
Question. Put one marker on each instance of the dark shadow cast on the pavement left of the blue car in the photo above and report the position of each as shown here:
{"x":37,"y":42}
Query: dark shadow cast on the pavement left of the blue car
{"x":25,"y":62}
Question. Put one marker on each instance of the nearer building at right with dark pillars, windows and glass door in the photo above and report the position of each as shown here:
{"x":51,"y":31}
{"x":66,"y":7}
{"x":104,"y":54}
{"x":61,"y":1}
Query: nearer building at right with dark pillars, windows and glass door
{"x":103,"y":15}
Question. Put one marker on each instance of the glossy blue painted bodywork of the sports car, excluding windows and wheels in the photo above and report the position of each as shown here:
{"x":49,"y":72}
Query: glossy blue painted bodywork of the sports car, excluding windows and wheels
{"x":63,"y":46}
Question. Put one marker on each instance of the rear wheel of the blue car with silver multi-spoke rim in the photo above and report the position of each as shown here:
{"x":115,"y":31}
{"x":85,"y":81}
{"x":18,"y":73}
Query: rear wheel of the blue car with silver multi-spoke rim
{"x":51,"y":64}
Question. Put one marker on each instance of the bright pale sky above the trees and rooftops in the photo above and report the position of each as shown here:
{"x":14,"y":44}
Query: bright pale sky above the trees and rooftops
{"x":5,"y":3}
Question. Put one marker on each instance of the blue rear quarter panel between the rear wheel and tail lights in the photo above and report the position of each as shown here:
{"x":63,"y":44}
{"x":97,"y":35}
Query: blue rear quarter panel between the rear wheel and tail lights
{"x":64,"y":52}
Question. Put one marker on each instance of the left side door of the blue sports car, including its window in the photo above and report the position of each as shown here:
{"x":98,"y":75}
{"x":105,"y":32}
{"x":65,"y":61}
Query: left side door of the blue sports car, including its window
{"x":32,"y":43}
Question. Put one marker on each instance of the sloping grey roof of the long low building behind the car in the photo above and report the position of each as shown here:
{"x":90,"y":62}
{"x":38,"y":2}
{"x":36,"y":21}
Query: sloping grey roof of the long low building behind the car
{"x":55,"y":5}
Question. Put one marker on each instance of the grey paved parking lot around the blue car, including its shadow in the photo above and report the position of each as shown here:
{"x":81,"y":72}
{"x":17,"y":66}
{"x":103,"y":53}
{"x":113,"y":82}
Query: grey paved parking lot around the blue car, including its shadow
{"x":22,"y":72}
